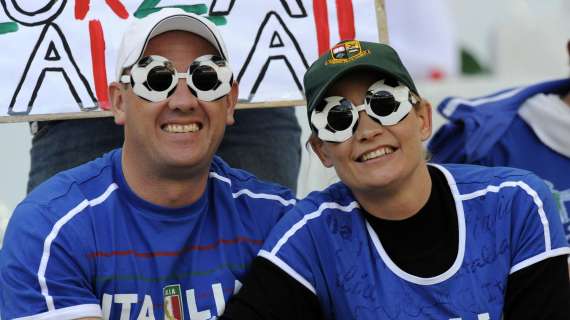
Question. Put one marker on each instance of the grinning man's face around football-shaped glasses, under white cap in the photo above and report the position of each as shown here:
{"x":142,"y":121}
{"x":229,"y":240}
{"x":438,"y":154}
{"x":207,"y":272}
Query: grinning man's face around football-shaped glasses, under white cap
{"x":177,"y":137}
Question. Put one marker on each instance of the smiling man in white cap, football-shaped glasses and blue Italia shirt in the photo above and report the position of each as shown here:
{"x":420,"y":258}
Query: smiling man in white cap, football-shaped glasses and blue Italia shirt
{"x":160,"y":228}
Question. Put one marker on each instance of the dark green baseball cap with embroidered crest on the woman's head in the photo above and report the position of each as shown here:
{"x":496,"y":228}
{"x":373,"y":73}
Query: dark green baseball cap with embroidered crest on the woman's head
{"x":351,"y":55}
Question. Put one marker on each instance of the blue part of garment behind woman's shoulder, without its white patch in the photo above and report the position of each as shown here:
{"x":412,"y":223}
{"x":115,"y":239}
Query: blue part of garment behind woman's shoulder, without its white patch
{"x":488,"y":131}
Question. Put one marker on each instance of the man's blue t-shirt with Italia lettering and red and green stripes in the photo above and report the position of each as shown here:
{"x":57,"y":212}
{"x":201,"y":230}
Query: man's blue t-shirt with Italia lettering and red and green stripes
{"x":83,"y":244}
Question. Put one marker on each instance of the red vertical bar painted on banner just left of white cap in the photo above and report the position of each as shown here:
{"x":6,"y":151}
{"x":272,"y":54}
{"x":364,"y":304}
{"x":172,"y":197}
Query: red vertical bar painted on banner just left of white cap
{"x":99,"y":65}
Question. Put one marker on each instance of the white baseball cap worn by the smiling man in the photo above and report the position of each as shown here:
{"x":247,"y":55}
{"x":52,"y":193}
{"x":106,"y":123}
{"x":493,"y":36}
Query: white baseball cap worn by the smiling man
{"x":139,"y":33}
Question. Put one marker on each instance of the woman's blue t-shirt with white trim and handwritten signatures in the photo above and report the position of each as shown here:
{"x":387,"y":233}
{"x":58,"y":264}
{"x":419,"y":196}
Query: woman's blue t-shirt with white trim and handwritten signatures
{"x":506,"y":221}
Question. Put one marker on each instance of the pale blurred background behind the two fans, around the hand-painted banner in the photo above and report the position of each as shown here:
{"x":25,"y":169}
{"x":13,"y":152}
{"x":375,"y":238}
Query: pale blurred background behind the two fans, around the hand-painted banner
{"x":452,"y":47}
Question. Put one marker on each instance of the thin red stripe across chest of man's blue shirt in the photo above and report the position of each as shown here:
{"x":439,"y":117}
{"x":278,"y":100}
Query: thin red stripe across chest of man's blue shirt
{"x":174,"y":253}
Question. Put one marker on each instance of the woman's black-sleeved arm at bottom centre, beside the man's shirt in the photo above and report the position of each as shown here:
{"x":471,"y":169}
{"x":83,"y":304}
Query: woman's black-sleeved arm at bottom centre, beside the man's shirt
{"x":269,"y":292}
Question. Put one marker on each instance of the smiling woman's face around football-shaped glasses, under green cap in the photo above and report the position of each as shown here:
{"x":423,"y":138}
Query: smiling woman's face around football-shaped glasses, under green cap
{"x":375,"y":156}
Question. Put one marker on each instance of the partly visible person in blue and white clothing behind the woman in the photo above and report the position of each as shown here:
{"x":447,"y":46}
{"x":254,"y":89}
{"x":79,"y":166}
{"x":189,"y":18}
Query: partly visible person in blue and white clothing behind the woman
{"x":526,"y":127}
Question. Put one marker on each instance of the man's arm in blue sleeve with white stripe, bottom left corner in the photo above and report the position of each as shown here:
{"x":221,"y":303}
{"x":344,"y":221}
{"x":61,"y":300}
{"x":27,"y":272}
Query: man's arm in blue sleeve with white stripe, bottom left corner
{"x":42,"y":270}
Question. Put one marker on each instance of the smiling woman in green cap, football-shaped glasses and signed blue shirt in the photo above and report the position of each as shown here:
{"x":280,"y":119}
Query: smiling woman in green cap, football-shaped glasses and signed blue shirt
{"x":398,"y":238}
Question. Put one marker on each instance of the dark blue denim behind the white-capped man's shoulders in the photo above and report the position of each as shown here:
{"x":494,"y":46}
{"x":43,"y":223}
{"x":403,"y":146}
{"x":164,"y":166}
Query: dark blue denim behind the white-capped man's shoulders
{"x":265,"y":142}
